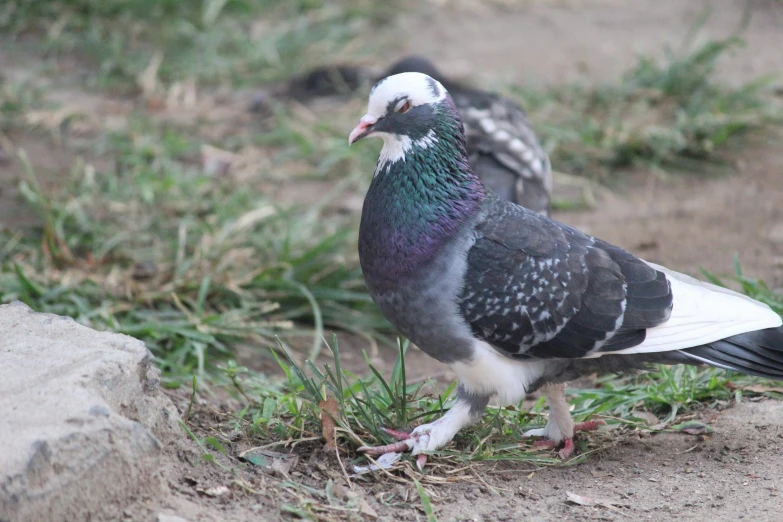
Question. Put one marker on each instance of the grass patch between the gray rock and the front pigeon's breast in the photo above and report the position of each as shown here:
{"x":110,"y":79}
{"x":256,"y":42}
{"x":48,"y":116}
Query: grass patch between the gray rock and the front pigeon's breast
{"x":193,"y":262}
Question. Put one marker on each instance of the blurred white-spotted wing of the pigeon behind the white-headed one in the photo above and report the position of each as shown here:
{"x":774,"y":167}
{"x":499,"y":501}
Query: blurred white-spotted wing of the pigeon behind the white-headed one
{"x":504,"y":150}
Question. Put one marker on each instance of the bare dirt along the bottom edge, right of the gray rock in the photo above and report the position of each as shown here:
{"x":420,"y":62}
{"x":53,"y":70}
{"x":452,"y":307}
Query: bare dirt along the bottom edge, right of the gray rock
{"x":731,"y":474}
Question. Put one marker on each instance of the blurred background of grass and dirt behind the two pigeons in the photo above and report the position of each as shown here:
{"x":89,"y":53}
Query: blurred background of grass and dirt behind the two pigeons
{"x":161,"y":175}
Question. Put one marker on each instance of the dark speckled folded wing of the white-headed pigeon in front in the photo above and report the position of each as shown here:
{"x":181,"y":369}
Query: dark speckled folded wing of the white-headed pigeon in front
{"x":535,"y":288}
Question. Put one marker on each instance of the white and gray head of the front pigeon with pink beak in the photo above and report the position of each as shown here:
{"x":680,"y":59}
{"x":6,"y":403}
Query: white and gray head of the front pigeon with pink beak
{"x":404,"y":111}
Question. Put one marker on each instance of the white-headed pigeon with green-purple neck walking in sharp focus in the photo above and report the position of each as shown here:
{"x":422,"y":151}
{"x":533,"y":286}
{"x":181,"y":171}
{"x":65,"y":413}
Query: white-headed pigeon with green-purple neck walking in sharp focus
{"x":512,"y":300}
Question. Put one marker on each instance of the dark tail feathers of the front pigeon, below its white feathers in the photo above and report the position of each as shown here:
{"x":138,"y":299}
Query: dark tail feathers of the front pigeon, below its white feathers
{"x":758,"y":353}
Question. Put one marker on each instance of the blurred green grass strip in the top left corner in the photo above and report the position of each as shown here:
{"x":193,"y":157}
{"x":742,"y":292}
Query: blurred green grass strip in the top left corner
{"x":212,"y":41}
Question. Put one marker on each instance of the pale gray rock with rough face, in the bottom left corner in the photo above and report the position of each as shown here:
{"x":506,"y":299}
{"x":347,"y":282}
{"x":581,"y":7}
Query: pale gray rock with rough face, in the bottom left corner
{"x":81,"y":419}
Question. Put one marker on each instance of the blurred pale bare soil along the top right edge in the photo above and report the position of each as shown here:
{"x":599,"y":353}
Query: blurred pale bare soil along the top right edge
{"x":557,"y":41}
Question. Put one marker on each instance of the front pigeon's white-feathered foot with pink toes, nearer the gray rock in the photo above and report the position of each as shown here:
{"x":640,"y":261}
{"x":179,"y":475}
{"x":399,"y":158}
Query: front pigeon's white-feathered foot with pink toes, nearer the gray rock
{"x":427,"y":437}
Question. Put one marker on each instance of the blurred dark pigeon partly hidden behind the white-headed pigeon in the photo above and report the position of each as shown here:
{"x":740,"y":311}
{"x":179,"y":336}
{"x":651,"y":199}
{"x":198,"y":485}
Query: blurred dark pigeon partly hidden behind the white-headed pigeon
{"x":503,"y":148}
